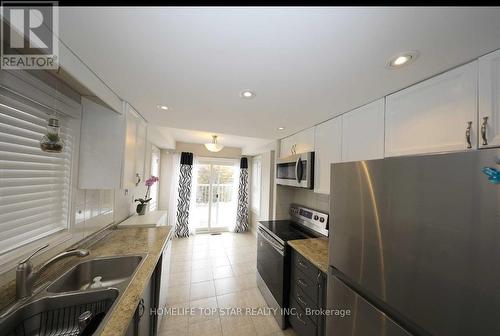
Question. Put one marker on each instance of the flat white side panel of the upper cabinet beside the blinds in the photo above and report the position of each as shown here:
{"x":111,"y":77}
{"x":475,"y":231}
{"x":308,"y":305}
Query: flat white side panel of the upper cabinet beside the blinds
{"x":101,"y":147}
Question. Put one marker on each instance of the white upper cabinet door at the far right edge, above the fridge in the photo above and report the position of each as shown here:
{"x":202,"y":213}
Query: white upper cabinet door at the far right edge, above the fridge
{"x":489,"y":100}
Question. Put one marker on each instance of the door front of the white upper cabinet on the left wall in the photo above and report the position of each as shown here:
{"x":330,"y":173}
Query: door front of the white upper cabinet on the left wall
{"x":135,"y":148}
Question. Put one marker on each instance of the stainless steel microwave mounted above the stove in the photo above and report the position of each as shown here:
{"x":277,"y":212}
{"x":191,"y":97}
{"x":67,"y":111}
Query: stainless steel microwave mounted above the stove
{"x":296,"y":170}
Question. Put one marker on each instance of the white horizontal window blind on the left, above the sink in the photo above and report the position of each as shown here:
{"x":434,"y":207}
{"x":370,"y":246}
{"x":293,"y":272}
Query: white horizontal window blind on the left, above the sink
{"x":34,"y":185}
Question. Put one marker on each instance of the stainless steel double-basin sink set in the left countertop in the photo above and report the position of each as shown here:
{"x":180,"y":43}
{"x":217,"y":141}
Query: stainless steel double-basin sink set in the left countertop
{"x":76,"y":303}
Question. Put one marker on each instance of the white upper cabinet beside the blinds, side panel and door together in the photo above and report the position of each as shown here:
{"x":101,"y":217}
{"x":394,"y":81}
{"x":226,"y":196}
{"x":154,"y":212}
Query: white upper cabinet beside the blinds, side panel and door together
{"x":112,"y":147}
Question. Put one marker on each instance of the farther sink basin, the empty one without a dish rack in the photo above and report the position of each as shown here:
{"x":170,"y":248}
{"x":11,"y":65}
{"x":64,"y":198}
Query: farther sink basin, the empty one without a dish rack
{"x":112,"y":271}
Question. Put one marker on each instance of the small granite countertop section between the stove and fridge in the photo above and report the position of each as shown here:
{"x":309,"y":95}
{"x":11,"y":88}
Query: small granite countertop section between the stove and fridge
{"x":313,"y":249}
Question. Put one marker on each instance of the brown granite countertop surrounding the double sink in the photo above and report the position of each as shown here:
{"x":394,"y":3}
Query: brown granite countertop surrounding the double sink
{"x":117,"y":242}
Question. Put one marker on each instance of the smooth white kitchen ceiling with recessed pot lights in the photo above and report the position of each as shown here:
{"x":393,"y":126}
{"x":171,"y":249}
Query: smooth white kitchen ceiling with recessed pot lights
{"x":305,"y":64}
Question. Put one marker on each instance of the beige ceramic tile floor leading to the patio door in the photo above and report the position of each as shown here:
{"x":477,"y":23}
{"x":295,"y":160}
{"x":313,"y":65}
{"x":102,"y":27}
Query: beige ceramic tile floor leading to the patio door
{"x":216,"y":274}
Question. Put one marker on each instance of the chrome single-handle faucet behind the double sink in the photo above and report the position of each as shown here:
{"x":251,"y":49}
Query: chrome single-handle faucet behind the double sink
{"x":26,"y":277}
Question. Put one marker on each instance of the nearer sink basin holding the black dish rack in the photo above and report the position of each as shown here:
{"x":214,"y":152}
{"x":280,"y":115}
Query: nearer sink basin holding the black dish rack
{"x":57,"y":315}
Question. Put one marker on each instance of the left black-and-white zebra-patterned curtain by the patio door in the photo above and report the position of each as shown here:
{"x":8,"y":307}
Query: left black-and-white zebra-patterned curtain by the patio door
{"x":183,"y":202}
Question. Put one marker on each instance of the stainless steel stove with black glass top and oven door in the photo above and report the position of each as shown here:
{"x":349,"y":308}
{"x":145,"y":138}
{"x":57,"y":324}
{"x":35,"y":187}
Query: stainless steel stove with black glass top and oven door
{"x":273,"y":255}
